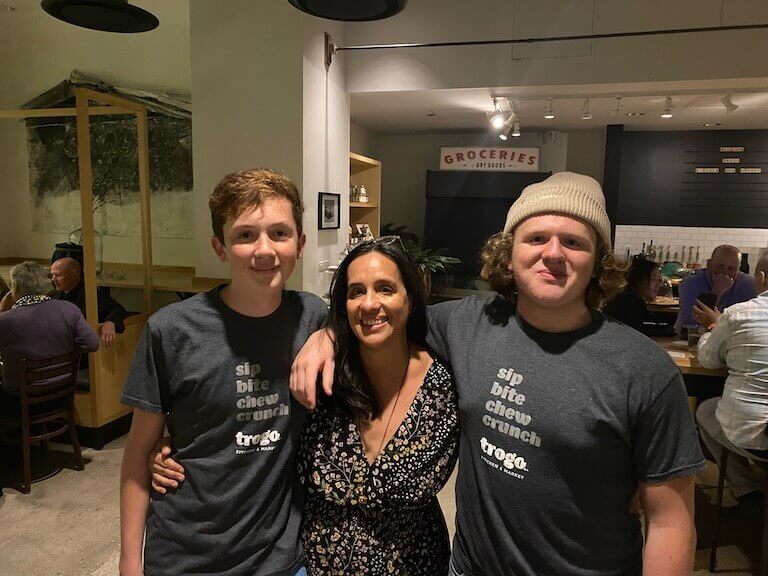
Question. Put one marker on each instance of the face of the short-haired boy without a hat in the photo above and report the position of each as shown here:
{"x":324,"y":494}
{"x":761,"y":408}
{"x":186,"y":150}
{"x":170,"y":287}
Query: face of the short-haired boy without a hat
{"x":261,"y":245}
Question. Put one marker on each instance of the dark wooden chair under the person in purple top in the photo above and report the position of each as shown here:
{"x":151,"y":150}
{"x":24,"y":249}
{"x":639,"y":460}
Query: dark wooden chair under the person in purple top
{"x":47,"y":394}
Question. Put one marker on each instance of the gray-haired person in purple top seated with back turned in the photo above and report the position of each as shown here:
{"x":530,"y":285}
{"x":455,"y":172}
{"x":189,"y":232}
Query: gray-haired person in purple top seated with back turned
{"x":37,"y":327}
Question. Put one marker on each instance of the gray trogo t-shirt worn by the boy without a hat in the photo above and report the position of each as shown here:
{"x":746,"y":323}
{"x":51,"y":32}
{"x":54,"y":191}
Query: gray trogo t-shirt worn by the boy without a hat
{"x":222,"y":380}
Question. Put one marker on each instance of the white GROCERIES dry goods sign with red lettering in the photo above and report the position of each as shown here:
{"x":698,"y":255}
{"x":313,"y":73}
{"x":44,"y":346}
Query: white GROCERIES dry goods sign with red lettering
{"x":492,"y":159}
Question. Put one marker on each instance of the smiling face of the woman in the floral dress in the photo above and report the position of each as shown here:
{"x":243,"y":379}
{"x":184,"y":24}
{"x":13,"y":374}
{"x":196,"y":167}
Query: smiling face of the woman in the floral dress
{"x":377,"y":301}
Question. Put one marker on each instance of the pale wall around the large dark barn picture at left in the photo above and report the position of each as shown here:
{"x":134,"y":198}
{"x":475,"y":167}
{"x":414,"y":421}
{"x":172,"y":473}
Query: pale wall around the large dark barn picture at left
{"x":36,"y":53}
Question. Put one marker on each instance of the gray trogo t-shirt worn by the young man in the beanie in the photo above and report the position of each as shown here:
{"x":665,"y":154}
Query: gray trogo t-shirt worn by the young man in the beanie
{"x":557,"y":430}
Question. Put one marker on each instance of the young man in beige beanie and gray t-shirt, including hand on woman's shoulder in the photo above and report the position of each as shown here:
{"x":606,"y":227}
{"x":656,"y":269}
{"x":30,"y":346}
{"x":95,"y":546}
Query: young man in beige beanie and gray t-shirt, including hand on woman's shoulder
{"x":565,"y":414}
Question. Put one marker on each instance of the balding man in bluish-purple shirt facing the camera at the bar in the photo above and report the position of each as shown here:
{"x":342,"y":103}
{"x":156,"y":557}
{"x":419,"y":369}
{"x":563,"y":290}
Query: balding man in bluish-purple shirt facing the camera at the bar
{"x":722,"y":278}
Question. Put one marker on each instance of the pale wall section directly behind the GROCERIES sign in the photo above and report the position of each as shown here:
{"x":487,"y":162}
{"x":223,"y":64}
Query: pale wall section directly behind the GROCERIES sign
{"x":406,"y":158}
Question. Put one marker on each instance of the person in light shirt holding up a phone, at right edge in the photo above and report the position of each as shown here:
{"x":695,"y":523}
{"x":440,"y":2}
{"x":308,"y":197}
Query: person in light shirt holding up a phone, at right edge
{"x":738,"y":420}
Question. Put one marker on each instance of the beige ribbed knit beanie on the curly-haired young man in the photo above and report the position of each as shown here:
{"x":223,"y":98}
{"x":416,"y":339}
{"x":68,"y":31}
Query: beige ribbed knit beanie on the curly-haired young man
{"x":563,"y":193}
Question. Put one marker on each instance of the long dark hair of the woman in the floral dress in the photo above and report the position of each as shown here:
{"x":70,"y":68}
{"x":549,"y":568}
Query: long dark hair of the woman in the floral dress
{"x":352,"y":389}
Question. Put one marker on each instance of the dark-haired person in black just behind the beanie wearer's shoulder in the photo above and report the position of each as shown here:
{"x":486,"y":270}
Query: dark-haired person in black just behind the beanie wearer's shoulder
{"x":631,"y":308}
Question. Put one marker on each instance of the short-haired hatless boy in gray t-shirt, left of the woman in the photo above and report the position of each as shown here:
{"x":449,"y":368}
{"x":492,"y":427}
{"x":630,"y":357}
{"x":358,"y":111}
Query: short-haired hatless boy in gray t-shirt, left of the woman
{"x":214,"y":369}
